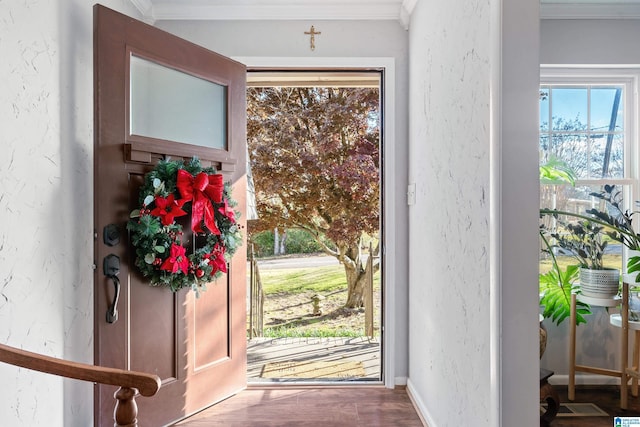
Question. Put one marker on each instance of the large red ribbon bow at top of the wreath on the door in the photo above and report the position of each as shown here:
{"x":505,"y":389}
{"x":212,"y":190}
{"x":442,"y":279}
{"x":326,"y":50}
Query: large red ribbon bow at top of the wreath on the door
{"x":201,"y":189}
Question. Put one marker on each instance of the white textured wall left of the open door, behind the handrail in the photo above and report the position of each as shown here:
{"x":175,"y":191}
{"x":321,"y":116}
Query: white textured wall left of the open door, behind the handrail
{"x":46,"y":200}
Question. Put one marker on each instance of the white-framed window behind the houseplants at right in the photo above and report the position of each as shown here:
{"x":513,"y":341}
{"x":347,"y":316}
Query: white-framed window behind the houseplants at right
{"x":587,"y":120}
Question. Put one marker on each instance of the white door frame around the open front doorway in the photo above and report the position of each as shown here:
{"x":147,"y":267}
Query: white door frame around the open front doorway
{"x":390,"y":199}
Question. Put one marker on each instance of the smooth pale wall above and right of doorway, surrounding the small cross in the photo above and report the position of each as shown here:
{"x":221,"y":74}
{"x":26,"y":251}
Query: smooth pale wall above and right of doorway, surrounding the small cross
{"x":339,"y":39}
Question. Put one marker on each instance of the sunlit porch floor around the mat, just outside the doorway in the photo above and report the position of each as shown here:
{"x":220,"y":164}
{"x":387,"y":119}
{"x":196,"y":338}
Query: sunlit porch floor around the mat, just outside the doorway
{"x":268,"y":350}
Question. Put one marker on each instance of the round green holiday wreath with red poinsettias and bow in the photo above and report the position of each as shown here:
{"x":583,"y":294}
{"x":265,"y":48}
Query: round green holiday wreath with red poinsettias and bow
{"x":174,"y":189}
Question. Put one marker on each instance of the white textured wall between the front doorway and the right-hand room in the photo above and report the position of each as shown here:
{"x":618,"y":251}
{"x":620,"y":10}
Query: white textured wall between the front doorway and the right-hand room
{"x":449,"y":243}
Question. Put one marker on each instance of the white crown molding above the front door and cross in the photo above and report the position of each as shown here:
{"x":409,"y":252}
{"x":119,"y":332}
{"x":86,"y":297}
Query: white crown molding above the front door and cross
{"x":156,"y":10}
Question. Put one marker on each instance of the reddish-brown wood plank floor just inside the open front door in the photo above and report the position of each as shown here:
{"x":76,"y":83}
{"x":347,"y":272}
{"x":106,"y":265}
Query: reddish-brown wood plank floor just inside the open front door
{"x":285,"y":406}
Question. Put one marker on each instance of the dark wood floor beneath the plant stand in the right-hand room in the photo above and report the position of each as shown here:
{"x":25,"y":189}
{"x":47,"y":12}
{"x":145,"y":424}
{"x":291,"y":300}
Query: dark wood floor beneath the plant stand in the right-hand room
{"x":607,"y":398}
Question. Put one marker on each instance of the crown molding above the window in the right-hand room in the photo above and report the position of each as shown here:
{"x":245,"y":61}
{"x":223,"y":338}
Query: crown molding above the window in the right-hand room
{"x":589,"y":10}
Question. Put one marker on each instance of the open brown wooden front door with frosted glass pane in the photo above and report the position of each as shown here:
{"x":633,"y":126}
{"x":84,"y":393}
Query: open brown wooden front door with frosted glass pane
{"x":196,"y":346}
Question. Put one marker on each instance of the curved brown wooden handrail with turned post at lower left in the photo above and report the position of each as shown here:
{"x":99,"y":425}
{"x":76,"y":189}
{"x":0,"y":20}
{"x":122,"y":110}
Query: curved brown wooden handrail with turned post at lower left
{"x":130,"y":382}
